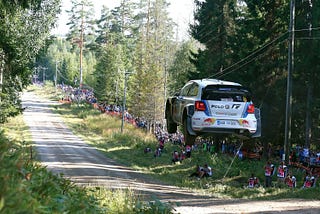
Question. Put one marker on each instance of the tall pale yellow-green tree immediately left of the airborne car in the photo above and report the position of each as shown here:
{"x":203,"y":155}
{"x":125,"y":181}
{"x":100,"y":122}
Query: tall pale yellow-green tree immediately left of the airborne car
{"x":154,"y":41}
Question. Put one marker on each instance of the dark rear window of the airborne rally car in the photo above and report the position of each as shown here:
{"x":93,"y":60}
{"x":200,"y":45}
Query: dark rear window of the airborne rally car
{"x":226,"y":93}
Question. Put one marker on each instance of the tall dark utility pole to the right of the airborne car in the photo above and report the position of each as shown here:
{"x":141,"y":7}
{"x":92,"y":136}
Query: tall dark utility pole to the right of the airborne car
{"x":287,"y":139}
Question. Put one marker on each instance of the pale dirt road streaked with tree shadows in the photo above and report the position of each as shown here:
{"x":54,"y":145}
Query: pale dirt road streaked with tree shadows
{"x":63,"y":152}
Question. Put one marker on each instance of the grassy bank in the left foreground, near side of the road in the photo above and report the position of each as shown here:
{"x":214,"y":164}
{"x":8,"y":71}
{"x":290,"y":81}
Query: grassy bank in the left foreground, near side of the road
{"x":27,"y":187}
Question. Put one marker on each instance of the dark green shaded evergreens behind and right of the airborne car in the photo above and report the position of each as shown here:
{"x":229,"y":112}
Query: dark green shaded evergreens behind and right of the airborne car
{"x":246,"y":42}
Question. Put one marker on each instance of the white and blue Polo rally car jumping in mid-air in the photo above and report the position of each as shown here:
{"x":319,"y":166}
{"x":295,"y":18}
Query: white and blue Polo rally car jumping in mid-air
{"x":211,"y":106}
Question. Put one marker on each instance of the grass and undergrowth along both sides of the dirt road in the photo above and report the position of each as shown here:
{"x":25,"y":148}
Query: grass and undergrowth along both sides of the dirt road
{"x":27,"y":187}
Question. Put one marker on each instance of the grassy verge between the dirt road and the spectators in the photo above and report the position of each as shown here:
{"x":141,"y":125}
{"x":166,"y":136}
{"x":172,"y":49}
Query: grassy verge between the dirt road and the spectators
{"x":228,"y":181}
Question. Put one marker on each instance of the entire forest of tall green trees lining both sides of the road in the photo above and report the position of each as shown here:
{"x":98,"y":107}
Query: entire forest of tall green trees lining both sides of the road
{"x":244,"y":41}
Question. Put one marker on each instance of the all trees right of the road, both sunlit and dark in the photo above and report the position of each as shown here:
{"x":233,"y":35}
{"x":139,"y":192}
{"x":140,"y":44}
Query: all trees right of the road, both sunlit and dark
{"x":241,"y":41}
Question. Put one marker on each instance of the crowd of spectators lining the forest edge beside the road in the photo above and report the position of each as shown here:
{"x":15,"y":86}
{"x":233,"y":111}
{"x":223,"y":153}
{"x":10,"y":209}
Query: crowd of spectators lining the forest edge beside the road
{"x":299,"y":157}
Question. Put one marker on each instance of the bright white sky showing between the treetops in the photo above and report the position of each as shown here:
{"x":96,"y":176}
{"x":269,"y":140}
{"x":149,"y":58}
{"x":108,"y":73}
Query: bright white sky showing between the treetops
{"x":181,"y":11}
